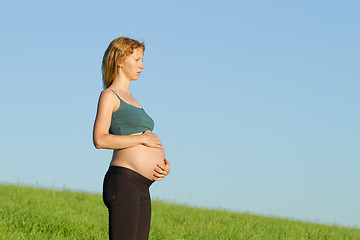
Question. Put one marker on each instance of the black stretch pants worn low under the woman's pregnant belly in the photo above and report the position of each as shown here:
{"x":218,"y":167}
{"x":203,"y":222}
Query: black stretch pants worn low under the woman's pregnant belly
{"x":126,"y":195}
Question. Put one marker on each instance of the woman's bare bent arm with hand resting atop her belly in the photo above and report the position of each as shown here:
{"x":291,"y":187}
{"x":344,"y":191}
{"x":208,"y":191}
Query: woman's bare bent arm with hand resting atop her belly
{"x":108,"y":102}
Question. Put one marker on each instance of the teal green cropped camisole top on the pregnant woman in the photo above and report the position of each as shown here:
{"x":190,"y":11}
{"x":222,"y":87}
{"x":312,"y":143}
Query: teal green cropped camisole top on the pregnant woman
{"x":128,"y":119}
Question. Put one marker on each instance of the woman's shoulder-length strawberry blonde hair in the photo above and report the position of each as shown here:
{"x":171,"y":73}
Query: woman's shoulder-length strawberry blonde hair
{"x":119,"y":49}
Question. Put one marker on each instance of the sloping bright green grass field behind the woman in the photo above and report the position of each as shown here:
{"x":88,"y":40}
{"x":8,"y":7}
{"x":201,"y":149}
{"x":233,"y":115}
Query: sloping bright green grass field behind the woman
{"x":32,"y":213}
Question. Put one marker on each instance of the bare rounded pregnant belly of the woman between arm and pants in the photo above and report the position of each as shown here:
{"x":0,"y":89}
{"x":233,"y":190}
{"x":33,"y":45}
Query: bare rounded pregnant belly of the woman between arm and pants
{"x":141,"y":159}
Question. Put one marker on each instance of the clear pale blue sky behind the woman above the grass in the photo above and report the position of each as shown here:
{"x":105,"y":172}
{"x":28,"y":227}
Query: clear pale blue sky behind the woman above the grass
{"x":256,"y":102}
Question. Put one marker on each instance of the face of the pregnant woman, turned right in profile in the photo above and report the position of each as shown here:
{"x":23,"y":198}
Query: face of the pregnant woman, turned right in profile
{"x":133,"y":65}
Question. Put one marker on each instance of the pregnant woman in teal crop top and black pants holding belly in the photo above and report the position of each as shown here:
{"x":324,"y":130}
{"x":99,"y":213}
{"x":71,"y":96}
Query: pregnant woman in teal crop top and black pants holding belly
{"x":138,"y":157}
